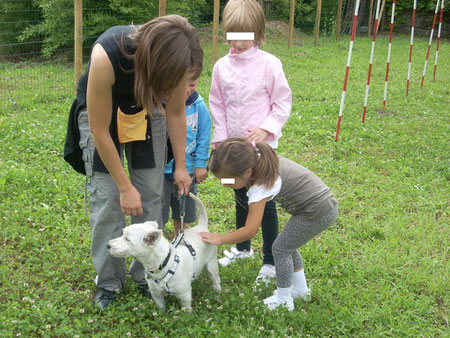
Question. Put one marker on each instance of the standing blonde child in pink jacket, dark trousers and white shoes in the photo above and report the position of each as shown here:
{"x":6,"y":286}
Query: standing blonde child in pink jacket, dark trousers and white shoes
{"x":250,"y":97}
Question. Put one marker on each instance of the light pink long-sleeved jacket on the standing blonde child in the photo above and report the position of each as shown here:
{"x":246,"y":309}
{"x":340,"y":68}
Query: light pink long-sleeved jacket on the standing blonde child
{"x":249,"y":90}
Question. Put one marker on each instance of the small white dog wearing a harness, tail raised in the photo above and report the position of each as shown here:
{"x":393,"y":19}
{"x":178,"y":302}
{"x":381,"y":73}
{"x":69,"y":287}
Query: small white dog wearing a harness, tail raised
{"x":170,"y":269}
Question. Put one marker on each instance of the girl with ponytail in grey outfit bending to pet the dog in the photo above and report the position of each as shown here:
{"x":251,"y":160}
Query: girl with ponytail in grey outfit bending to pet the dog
{"x":238,"y":163}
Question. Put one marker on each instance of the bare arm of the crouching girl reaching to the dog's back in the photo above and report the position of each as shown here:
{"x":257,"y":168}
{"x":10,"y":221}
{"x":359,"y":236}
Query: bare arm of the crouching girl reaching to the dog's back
{"x":252,"y":224}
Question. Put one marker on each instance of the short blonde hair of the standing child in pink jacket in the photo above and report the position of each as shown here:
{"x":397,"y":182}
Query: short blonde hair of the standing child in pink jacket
{"x":245,"y":16}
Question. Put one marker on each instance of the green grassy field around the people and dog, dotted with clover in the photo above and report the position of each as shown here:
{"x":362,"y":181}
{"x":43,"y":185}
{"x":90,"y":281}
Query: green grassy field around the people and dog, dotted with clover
{"x":381,"y":270}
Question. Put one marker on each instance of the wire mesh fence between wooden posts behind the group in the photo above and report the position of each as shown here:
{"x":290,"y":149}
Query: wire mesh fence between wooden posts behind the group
{"x":37,"y":36}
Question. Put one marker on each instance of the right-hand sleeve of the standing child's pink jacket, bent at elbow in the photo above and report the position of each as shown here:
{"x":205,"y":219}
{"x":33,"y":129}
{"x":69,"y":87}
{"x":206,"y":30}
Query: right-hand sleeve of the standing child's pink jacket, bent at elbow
{"x":280,"y":99}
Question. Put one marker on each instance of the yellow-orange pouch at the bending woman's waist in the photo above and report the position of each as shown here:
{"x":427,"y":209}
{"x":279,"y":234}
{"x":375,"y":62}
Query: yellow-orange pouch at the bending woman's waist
{"x":131,"y":124}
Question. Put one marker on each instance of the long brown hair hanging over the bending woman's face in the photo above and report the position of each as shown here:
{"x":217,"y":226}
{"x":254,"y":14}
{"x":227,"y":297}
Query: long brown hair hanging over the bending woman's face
{"x":167,"y":48}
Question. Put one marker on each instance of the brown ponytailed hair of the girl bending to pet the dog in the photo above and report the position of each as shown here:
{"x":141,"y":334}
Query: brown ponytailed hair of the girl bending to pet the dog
{"x":234,"y":156}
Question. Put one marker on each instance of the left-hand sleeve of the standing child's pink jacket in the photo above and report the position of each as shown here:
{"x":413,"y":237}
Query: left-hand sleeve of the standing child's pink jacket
{"x":217,"y":106}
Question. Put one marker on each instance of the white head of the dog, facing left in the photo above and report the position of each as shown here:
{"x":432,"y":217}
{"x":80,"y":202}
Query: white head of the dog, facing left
{"x":138,"y":240}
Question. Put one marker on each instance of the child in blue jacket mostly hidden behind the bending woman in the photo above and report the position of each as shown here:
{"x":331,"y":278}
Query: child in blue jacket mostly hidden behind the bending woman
{"x":198,"y":139}
